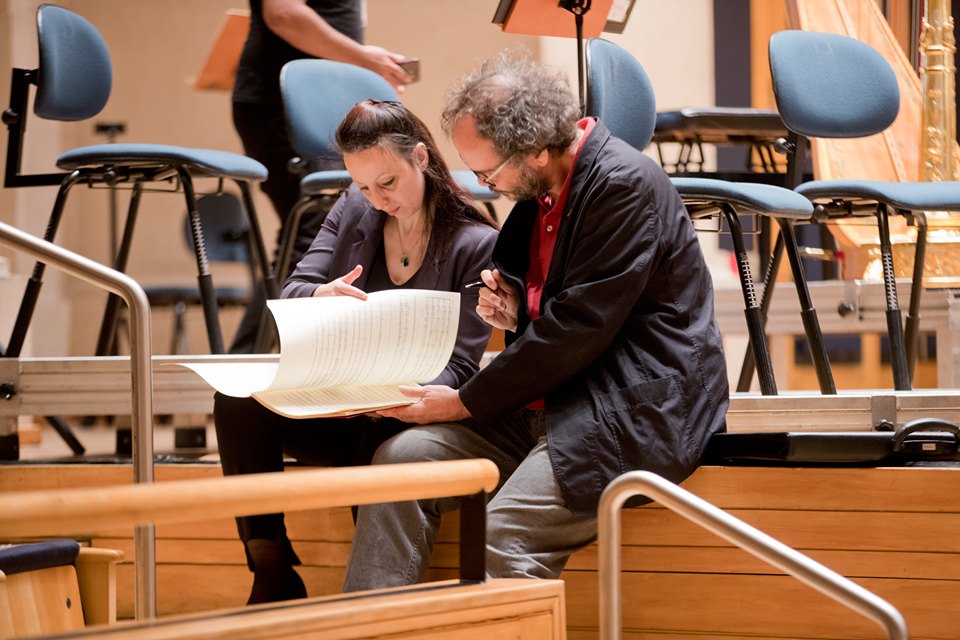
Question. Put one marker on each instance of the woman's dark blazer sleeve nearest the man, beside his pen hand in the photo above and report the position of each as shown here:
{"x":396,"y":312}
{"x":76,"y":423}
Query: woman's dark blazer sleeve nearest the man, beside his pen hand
{"x":470,"y":255}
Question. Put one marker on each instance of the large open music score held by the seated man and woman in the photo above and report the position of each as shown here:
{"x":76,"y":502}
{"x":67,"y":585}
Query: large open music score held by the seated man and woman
{"x":341,"y":356}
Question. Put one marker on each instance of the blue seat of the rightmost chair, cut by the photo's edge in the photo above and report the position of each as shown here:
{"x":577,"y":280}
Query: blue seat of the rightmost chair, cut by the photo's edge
{"x":908,"y":196}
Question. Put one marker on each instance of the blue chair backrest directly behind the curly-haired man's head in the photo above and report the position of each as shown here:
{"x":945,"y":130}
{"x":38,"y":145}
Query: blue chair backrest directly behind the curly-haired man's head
{"x":619,"y":93}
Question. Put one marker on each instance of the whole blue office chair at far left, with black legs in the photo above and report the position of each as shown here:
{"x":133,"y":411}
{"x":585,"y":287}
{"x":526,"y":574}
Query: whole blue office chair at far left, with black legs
{"x":73,"y":83}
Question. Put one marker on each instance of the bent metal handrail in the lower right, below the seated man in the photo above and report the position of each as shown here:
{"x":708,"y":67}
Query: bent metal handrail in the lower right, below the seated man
{"x":733,"y":530}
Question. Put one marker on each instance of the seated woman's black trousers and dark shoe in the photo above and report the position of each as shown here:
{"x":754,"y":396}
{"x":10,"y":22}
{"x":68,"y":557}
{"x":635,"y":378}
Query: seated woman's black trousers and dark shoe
{"x":253,"y":439}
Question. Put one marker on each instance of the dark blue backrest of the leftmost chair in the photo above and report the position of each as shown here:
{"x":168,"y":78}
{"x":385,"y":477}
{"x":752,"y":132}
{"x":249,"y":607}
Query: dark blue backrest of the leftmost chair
{"x":75,"y":73}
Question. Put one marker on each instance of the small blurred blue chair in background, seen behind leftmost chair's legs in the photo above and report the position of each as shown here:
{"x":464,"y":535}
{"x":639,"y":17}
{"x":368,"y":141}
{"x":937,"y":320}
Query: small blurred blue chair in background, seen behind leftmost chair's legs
{"x":225,"y":233}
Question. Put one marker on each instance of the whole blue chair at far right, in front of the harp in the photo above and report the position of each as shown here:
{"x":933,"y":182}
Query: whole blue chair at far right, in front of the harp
{"x":832,"y":86}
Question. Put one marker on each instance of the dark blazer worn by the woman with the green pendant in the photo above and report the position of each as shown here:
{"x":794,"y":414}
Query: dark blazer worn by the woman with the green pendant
{"x":353,"y":233}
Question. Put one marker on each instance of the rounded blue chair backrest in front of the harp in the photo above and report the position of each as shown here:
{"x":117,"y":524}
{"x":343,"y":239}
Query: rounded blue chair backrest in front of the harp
{"x":832,"y":86}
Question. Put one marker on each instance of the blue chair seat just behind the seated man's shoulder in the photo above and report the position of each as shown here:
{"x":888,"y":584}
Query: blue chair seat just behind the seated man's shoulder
{"x":763,"y":199}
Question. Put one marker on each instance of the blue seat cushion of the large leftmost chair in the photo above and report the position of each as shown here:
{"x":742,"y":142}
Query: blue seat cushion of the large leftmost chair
{"x":208,"y":162}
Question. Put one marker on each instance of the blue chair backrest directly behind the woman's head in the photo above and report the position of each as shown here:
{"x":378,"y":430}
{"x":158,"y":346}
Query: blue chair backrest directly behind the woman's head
{"x":318,"y":94}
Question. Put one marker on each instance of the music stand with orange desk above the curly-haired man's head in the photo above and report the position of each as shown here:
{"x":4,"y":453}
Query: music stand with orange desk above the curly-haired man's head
{"x":552,"y":18}
